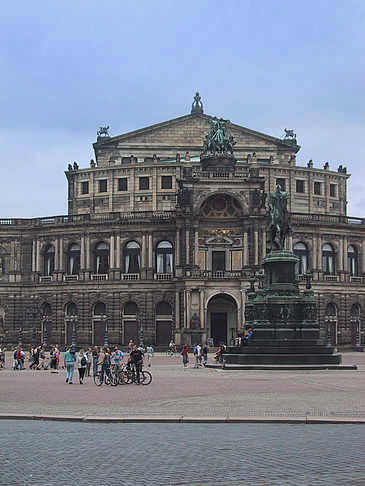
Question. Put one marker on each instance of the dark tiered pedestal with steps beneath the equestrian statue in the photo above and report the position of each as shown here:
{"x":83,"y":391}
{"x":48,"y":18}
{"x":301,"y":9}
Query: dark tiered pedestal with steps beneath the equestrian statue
{"x":284,"y":322}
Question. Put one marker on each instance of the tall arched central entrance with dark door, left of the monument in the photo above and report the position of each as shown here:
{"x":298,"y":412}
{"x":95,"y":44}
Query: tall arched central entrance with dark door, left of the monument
{"x":222,"y":318}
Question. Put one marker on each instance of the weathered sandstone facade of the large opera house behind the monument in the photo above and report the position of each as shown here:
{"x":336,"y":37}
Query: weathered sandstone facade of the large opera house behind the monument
{"x":154,"y":242}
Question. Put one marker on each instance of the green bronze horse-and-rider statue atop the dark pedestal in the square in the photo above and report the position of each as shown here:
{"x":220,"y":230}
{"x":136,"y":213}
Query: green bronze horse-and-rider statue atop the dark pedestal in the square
{"x":279,"y":218}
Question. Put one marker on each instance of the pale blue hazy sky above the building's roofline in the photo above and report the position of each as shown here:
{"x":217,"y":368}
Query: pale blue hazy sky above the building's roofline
{"x":69,"y":67}
